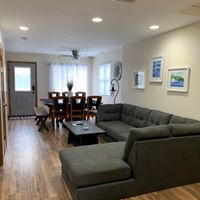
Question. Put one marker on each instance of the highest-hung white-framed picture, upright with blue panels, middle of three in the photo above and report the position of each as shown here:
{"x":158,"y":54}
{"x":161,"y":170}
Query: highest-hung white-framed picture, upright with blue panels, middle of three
{"x":156,"y":70}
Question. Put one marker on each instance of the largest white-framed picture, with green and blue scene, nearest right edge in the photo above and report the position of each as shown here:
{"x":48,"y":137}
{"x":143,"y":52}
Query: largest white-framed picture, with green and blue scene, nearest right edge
{"x":178,"y":79}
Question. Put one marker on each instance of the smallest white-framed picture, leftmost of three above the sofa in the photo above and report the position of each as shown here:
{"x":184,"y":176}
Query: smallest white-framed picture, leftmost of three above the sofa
{"x":139,"y":80}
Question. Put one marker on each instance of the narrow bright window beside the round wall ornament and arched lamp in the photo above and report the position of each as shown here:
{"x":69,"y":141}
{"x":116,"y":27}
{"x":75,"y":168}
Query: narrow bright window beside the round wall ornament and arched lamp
{"x":104,"y":79}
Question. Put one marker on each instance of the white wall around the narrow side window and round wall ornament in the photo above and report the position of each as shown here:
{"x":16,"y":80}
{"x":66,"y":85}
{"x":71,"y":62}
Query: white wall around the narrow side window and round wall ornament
{"x":112,"y":58}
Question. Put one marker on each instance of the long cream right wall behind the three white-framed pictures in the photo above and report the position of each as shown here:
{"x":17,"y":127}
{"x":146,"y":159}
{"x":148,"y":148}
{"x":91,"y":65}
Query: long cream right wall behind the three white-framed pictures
{"x":180,"y":47}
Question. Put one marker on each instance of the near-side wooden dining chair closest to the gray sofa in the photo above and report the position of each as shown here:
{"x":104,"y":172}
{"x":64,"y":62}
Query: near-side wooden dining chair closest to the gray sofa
{"x":93,"y":103}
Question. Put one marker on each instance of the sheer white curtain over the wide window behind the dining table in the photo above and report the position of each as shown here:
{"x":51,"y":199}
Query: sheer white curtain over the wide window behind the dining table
{"x":61,"y":73}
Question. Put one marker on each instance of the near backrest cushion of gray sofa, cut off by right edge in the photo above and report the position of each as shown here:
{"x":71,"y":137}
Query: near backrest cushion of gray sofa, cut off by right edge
{"x":185,"y":129}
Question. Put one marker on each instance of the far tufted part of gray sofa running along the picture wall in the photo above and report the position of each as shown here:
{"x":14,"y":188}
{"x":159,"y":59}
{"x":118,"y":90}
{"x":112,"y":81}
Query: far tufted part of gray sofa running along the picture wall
{"x":119,"y":118}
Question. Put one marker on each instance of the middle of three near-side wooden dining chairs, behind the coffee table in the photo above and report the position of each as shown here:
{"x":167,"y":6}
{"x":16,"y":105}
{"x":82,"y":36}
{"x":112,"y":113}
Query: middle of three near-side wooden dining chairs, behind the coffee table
{"x":77,"y":108}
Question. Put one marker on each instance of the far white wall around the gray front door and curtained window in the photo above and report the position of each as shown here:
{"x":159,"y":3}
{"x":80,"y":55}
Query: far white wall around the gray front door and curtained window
{"x":43,"y":62}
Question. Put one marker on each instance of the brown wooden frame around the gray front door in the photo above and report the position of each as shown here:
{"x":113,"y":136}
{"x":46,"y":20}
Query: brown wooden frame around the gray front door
{"x":8,"y":78}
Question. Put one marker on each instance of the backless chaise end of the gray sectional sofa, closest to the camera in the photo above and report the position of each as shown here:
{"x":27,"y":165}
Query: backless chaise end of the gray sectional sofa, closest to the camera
{"x":96,"y":171}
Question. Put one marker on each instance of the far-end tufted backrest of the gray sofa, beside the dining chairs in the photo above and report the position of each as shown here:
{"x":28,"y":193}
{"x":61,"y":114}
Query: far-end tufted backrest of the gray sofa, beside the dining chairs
{"x":109,"y":112}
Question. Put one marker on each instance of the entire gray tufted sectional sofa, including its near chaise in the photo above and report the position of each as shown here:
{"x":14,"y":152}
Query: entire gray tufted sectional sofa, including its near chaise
{"x":153,"y":151}
